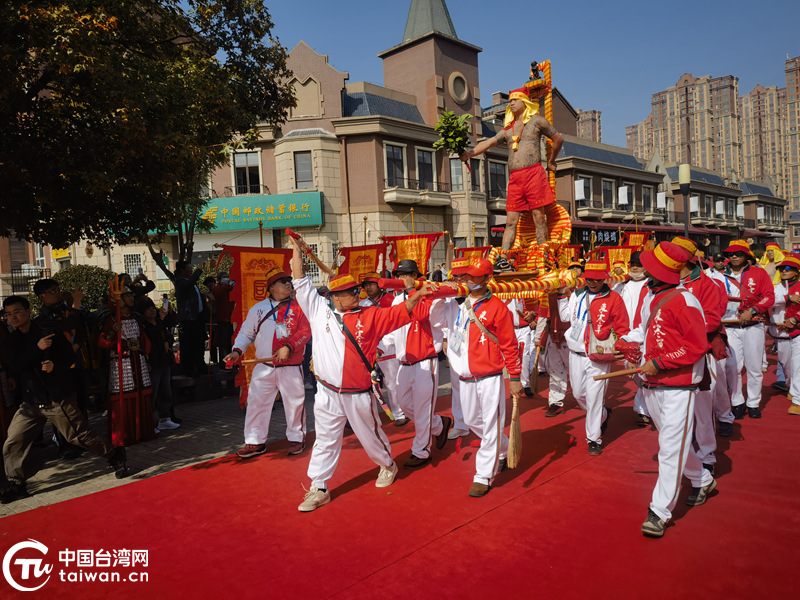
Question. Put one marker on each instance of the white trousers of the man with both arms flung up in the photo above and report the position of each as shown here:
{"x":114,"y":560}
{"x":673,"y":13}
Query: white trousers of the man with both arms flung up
{"x":331,"y":411}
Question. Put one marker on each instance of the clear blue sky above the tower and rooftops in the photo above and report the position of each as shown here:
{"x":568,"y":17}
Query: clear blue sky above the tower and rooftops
{"x":606,"y":56}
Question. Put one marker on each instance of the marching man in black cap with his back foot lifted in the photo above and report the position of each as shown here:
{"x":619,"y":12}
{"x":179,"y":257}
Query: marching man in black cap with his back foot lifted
{"x":417,"y":346}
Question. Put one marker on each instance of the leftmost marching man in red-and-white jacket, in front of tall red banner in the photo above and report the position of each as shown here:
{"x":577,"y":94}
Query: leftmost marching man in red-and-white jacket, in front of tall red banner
{"x":280,"y":331}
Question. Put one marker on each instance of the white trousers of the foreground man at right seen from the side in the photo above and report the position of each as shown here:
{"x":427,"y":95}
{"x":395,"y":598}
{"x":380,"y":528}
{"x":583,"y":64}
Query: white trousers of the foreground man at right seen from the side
{"x":672,"y":412}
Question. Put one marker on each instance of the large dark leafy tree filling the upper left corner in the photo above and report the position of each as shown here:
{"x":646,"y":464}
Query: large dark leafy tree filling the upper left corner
{"x":112,"y":117}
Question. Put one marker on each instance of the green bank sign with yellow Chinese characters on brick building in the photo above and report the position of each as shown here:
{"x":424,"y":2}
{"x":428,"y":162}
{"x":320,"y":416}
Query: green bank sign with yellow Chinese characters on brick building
{"x":275,"y":210}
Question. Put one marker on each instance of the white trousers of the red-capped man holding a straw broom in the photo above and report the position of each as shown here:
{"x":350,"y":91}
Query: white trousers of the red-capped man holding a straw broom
{"x":484,"y":407}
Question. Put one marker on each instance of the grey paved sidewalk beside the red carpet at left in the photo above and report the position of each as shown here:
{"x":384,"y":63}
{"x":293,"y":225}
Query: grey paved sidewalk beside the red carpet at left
{"x":211,"y":428}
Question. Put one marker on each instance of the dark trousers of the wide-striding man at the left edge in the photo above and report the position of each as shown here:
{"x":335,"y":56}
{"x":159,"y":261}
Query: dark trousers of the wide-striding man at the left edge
{"x":27,"y":424}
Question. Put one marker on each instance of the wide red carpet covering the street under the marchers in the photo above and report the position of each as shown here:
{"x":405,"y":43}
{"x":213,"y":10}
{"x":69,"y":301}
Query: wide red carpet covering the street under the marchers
{"x":564,"y":525}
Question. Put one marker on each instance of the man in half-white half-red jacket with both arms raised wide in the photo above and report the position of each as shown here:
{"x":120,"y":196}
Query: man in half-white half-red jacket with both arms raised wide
{"x":346,"y":336}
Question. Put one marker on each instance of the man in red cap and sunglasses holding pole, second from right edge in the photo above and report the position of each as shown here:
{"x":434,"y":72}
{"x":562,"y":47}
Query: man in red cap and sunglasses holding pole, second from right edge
{"x":752,"y":288}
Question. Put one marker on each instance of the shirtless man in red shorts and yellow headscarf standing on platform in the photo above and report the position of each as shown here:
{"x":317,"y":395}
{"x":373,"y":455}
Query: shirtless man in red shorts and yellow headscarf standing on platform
{"x":528,"y":186}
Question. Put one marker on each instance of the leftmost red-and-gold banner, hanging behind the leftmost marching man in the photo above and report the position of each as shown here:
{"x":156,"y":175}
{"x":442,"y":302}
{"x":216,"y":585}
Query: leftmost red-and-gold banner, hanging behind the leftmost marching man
{"x":250,"y":265}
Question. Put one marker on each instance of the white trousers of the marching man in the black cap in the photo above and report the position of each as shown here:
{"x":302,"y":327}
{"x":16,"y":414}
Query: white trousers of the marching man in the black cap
{"x":417,"y":390}
